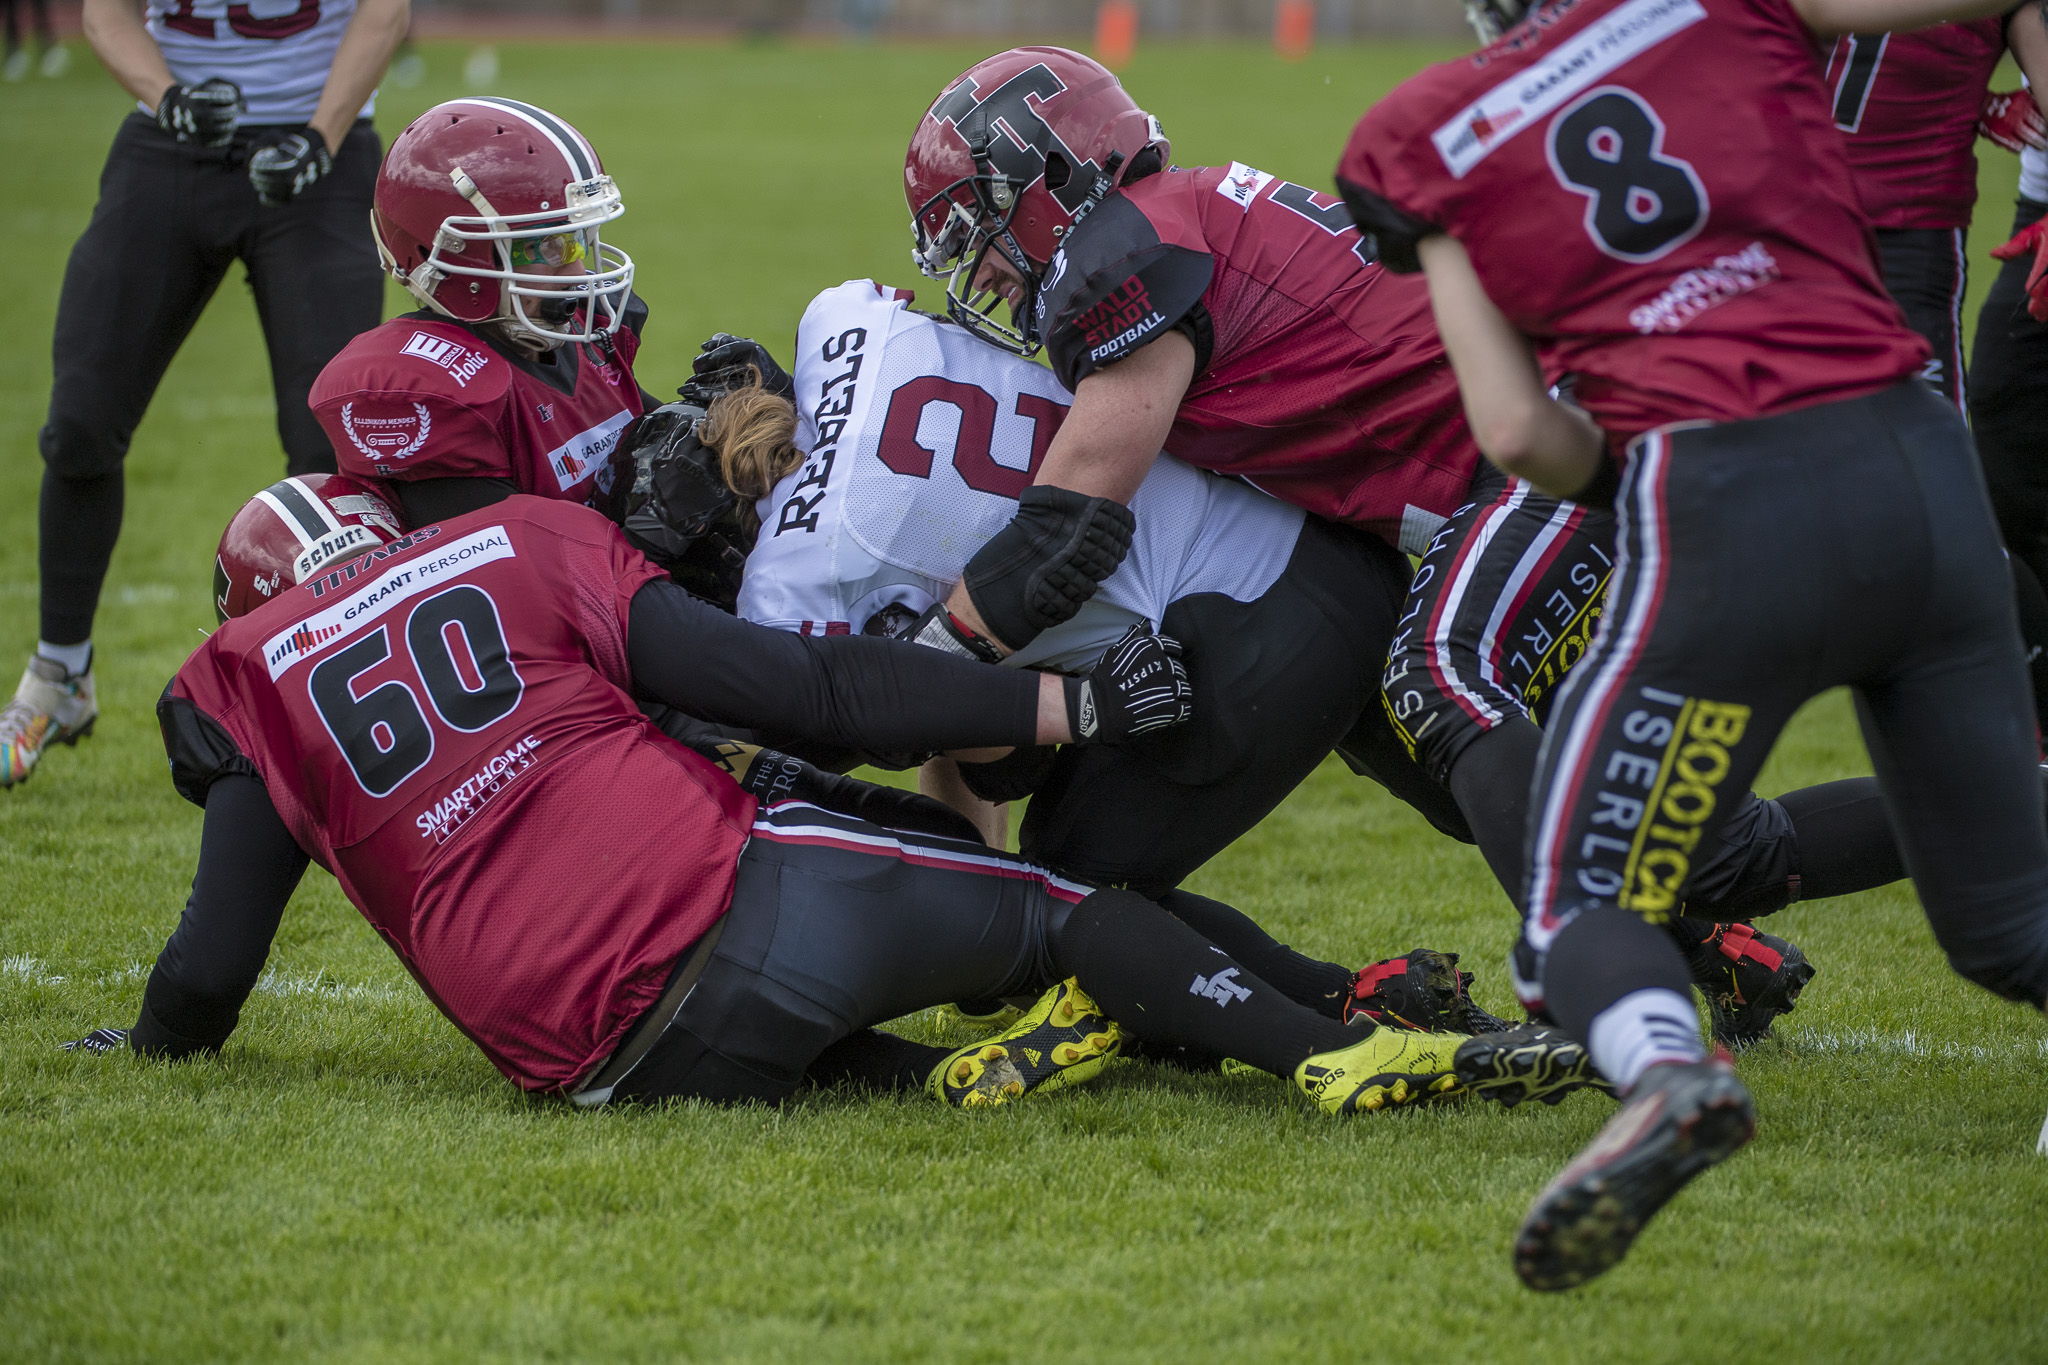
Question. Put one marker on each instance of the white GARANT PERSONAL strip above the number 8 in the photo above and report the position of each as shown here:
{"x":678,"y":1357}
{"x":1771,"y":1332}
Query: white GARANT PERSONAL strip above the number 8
{"x":1580,"y":62}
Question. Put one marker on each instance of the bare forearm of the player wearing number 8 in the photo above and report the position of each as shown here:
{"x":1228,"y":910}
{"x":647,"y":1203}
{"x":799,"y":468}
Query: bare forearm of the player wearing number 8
{"x":1506,"y":402}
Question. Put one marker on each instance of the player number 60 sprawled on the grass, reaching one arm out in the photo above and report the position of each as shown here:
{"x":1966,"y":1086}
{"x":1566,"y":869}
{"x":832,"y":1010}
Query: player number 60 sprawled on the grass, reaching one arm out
{"x":450,"y":717}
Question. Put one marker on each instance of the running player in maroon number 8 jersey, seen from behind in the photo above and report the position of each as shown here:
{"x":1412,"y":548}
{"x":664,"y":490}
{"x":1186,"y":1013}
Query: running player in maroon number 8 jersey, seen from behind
{"x":1603,"y":195}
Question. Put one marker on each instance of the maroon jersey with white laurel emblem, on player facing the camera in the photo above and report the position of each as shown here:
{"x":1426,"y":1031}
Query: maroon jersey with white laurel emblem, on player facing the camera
{"x":425,"y":398}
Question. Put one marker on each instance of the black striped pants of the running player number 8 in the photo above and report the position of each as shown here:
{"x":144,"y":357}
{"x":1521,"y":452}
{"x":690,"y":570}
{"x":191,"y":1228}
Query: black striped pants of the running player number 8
{"x":1760,"y":564}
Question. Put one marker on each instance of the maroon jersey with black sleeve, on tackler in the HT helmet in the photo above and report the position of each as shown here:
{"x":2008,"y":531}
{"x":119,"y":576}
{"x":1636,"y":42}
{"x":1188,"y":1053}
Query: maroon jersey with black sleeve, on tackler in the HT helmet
{"x":1320,"y":376}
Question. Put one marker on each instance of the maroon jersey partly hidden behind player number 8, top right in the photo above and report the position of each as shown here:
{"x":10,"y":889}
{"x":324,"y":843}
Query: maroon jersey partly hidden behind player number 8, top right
{"x":1908,"y":103}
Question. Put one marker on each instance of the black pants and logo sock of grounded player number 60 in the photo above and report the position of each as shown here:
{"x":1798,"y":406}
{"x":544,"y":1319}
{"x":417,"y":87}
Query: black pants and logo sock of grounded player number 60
{"x":839,"y":926}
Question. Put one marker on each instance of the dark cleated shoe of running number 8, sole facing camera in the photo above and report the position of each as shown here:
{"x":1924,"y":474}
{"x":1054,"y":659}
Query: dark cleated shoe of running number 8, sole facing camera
{"x":1678,"y":1122}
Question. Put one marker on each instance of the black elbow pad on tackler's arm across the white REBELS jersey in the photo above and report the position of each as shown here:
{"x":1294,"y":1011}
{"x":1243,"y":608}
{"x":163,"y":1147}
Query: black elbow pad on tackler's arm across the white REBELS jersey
{"x":1041,"y":568}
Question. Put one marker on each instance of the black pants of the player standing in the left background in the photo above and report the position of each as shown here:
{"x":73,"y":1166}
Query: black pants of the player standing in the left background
{"x":169,"y":224}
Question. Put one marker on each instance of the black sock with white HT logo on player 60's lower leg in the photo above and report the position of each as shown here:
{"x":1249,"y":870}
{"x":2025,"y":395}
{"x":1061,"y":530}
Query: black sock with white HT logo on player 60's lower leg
{"x":1168,"y":985}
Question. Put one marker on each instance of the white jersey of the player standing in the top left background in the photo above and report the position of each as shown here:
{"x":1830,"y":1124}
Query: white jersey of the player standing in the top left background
{"x":278,"y":50}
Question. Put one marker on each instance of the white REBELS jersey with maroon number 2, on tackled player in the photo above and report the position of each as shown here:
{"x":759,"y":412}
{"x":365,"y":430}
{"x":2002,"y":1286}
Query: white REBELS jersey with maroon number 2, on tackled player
{"x":921,"y":441}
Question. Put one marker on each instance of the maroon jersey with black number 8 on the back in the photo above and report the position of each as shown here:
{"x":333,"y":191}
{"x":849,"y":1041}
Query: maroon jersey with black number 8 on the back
{"x":1656,"y":193}
